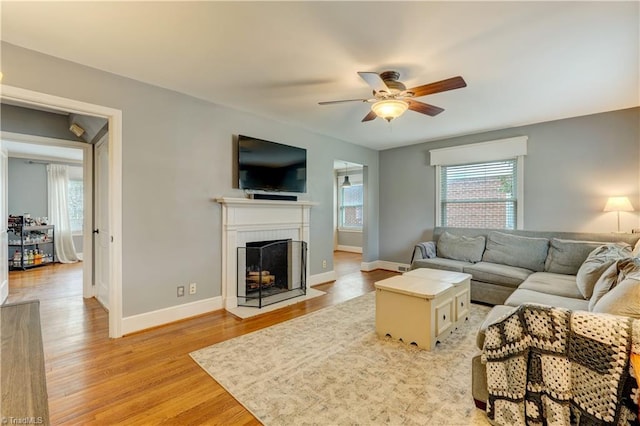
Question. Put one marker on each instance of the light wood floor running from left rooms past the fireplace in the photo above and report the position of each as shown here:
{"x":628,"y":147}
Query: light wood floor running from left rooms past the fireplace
{"x":148,"y":377}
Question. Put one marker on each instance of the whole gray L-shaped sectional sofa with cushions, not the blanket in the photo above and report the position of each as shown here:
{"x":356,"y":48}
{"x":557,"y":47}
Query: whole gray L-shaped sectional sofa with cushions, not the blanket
{"x":599,"y":273}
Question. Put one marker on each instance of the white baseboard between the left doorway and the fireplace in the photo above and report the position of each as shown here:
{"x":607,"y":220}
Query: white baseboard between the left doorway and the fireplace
{"x":168,"y":315}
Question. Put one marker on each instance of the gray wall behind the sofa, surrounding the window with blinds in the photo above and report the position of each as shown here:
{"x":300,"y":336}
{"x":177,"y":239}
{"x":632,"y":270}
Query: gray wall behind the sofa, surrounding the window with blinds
{"x":572,"y":166}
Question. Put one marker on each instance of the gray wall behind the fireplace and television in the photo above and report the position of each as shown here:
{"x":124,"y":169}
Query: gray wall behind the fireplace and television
{"x":177,"y":156}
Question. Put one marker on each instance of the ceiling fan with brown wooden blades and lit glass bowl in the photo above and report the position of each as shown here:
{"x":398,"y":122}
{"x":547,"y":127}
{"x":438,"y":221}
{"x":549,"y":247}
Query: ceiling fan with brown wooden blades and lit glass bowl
{"x":391,"y":98}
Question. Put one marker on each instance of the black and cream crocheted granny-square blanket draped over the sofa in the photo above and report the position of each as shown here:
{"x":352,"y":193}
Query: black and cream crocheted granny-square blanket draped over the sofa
{"x":555,"y":366}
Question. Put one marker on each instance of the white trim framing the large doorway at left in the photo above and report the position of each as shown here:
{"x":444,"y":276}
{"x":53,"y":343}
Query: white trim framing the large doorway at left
{"x":114,"y":197}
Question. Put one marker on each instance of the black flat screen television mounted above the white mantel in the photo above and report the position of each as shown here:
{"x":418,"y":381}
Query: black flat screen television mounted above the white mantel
{"x":271,"y":166}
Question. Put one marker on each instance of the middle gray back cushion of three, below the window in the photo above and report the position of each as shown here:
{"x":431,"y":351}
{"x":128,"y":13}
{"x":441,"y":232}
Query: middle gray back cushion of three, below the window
{"x":514,"y":250}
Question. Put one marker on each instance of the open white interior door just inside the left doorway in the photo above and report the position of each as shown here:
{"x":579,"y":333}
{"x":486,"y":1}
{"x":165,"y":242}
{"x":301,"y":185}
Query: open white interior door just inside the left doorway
{"x":102,"y":233}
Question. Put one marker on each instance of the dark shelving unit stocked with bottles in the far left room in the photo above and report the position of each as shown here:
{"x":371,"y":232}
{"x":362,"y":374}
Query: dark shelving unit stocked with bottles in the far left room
{"x":30,"y":245}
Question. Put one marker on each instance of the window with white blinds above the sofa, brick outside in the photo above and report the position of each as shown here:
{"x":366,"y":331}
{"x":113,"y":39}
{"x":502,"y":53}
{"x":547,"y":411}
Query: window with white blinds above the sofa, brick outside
{"x":481,"y":195}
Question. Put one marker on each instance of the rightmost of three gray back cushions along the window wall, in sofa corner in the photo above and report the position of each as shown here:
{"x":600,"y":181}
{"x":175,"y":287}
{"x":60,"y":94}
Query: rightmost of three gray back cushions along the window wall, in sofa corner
{"x":566,"y":256}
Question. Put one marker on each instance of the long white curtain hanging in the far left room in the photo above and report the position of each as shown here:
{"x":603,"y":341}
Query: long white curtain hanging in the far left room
{"x":57,"y":184}
